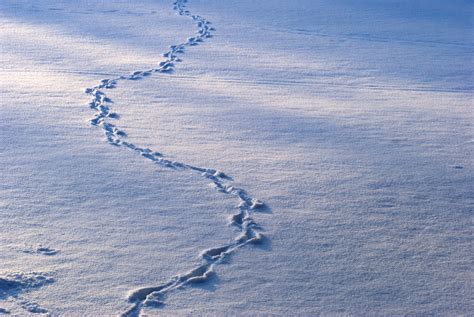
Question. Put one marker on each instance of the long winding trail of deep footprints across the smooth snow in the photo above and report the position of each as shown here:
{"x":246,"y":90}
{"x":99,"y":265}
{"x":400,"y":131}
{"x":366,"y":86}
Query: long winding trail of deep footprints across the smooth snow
{"x":248,"y":230}
